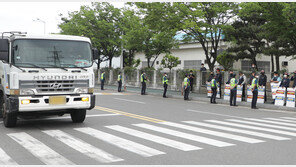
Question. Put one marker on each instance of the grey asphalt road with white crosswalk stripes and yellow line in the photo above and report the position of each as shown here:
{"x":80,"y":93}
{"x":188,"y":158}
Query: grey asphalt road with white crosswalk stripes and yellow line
{"x":130,"y":129}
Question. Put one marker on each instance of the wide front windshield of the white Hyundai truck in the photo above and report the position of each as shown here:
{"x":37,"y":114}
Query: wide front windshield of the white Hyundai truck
{"x":51,"y":53}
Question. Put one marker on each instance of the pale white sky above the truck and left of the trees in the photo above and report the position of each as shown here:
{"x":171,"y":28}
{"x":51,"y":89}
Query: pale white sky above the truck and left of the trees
{"x":19,"y":16}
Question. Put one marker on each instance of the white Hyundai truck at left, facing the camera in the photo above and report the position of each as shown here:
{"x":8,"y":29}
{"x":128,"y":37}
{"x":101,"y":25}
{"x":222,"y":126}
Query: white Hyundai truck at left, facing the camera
{"x":45,"y":75}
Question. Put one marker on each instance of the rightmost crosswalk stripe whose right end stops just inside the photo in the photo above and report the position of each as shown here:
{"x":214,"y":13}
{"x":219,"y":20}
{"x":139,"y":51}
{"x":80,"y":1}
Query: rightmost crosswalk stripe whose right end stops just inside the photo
{"x":263,"y":135}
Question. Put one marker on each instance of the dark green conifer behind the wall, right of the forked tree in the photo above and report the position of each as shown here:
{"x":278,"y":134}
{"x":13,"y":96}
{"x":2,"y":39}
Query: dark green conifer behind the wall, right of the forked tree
{"x":247,"y":34}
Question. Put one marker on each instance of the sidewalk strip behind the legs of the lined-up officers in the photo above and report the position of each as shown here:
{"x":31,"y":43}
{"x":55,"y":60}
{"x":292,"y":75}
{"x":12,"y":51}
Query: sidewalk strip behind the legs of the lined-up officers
{"x":196,"y":96}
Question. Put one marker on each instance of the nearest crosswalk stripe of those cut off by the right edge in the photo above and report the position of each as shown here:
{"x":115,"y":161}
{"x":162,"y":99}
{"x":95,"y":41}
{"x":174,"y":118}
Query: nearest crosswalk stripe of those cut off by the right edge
{"x":253,"y":127}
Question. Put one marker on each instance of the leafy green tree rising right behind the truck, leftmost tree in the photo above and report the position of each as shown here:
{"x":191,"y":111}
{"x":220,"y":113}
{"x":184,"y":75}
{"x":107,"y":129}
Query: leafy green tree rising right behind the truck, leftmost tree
{"x":101,"y":22}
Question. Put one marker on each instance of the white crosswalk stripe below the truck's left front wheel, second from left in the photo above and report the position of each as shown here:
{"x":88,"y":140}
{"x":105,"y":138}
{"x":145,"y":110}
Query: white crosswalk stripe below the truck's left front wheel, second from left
{"x":39,"y":150}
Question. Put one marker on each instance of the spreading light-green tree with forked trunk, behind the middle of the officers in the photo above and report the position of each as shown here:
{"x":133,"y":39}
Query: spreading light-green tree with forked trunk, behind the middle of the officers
{"x":200,"y":21}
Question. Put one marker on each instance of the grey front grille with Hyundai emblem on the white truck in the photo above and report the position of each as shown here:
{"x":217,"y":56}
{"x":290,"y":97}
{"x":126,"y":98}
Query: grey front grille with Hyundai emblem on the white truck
{"x":54,"y":85}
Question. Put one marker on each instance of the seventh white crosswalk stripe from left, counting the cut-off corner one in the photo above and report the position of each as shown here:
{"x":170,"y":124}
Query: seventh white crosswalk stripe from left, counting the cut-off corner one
{"x":214,"y":133}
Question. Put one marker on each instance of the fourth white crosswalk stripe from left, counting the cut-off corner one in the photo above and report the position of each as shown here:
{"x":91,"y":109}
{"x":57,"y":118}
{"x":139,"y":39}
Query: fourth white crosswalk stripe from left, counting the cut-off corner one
{"x":120,"y":142}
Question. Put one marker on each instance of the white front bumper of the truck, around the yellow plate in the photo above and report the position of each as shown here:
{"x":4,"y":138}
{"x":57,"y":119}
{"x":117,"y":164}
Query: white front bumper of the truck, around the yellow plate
{"x":42,"y":103}
